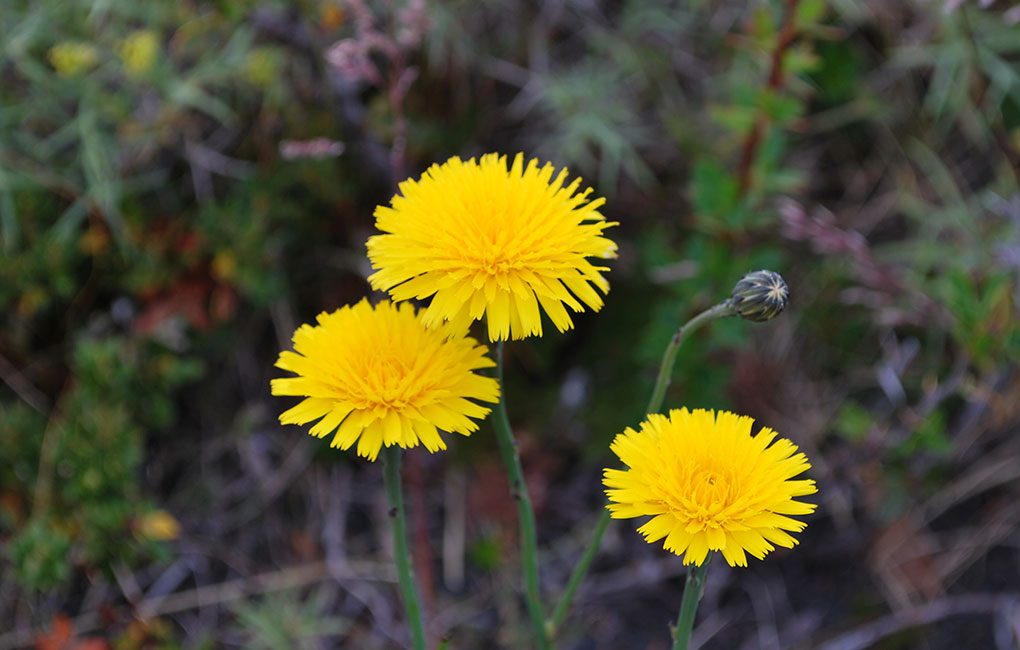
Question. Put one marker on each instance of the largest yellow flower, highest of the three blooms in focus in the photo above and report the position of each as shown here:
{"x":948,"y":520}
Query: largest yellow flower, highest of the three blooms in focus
{"x":482,"y":240}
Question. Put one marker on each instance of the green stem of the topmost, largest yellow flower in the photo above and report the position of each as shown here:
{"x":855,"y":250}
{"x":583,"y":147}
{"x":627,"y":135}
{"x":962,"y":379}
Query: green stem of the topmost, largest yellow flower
{"x":526,"y":515}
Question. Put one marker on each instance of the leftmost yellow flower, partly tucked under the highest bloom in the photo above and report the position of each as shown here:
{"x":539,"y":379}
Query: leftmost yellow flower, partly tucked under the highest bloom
{"x":381,"y":377}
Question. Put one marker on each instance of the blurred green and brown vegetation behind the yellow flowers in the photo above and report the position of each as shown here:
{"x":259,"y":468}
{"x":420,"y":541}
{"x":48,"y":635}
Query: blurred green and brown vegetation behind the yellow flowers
{"x":182,"y":183}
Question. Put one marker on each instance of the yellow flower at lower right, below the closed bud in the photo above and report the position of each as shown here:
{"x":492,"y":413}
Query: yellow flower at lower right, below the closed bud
{"x":709,"y":485}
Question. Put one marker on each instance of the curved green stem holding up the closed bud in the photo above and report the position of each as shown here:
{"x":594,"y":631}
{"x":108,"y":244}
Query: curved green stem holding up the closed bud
{"x":662,"y":382}
